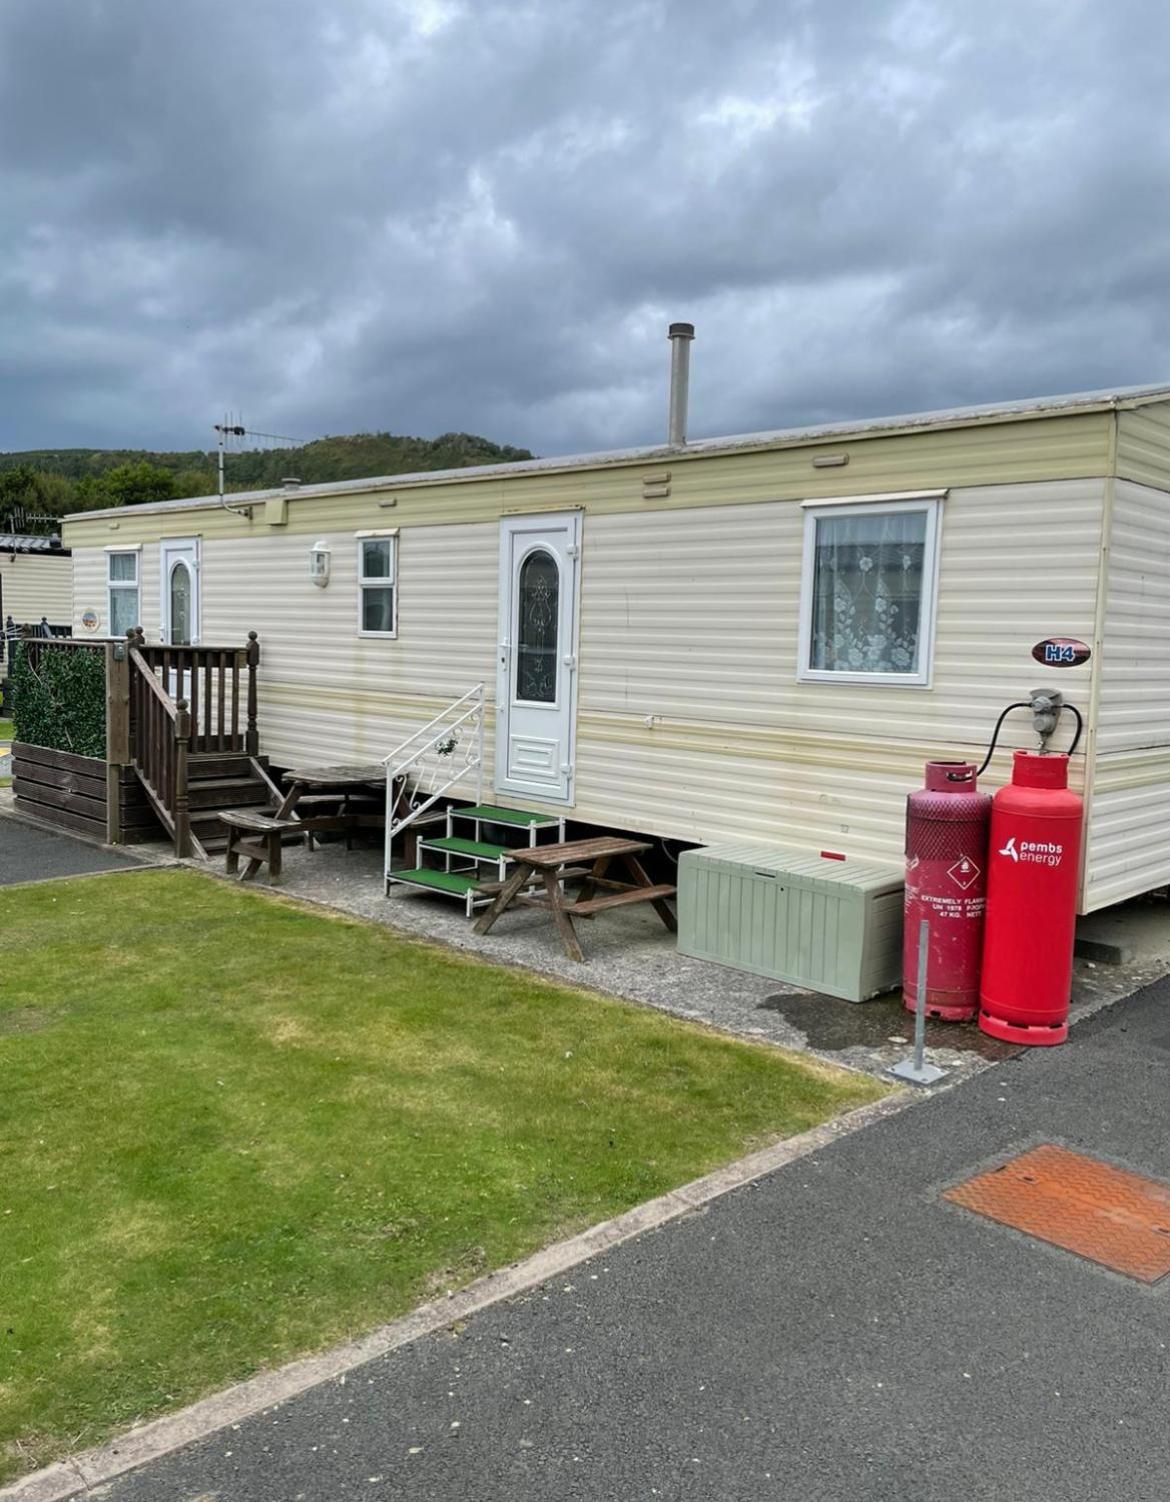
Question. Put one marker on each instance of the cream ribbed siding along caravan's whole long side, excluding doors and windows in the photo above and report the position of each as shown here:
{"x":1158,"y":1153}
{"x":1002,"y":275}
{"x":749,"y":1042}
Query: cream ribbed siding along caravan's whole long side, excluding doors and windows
{"x":690,"y":621}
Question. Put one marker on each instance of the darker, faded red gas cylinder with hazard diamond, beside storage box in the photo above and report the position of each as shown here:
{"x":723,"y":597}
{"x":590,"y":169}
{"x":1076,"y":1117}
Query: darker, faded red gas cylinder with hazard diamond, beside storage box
{"x":947,"y":885}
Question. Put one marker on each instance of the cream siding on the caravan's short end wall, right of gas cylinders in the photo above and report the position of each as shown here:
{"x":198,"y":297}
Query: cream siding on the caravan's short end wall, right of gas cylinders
{"x":1130,"y":819}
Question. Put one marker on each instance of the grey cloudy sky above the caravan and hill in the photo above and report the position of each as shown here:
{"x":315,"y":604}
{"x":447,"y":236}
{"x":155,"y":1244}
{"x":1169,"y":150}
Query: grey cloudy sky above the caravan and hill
{"x":430,"y":216}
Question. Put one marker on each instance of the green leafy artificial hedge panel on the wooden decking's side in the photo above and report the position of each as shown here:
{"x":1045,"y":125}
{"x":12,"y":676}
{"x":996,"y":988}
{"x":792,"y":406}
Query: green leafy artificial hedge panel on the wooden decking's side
{"x":61,"y":702}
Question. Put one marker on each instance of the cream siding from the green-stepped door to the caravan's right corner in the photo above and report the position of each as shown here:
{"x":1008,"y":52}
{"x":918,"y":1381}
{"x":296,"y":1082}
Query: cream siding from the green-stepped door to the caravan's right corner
{"x":692,"y":623}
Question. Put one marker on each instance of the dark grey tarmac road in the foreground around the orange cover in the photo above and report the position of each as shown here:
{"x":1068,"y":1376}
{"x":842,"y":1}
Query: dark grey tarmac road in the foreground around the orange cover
{"x":836,"y":1333}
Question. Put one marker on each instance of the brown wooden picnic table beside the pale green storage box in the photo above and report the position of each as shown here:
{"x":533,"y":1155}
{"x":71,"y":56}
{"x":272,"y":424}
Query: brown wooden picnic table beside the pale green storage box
{"x":579,"y":858}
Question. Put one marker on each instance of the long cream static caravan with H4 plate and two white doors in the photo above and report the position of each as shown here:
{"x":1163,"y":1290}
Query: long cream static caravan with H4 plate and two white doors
{"x":756,"y":638}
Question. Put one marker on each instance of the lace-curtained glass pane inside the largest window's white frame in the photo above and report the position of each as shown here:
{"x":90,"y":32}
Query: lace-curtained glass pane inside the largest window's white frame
{"x":867,"y":594}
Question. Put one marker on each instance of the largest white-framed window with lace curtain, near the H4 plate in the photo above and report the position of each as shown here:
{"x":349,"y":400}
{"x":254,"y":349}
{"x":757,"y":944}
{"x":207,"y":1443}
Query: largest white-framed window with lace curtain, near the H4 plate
{"x":869,"y":590}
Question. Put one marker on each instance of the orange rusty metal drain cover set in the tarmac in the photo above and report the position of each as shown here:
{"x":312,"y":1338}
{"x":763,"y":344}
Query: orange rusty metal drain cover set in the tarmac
{"x":1102,"y":1213}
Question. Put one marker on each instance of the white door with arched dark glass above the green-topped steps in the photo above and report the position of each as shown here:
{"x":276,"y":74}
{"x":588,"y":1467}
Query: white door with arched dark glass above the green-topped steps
{"x":537,"y":692}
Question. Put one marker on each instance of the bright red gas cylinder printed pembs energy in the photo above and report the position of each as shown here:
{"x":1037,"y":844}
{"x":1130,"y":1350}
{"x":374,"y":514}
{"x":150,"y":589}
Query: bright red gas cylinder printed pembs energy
{"x":1031,"y":903}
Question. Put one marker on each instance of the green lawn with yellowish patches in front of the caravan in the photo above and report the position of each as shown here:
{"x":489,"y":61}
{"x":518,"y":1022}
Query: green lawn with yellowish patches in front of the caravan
{"x":234,"y":1130}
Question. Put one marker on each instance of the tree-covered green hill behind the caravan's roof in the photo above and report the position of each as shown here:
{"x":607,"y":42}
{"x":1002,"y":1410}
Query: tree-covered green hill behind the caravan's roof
{"x":49,"y":483}
